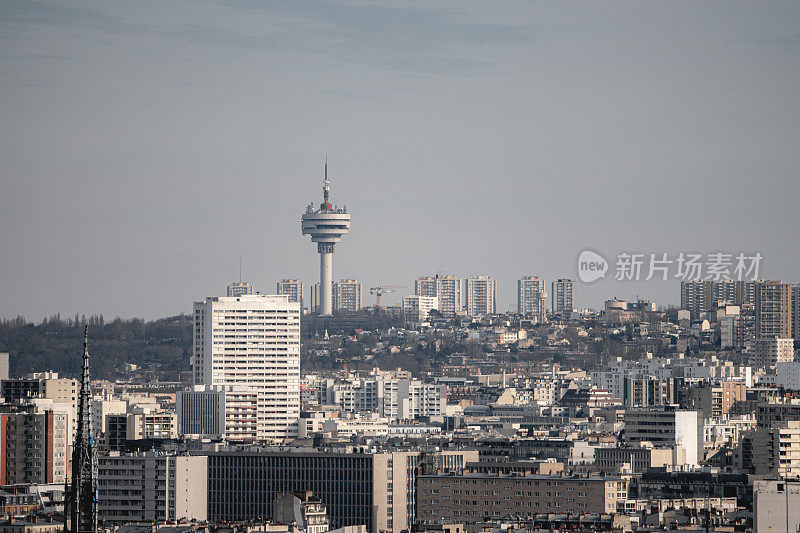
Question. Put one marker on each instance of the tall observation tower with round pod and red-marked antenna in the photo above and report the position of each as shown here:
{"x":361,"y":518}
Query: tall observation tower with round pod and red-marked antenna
{"x":326,"y":226}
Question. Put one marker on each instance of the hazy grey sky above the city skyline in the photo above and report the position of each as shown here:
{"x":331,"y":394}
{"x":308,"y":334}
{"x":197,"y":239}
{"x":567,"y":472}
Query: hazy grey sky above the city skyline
{"x":146,"y":146}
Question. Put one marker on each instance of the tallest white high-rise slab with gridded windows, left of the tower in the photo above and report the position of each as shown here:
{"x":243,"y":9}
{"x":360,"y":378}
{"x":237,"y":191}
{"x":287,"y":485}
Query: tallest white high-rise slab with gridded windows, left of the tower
{"x":252,"y":341}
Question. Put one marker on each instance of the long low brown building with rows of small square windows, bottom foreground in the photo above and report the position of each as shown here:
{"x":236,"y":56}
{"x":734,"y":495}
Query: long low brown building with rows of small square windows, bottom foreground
{"x":471,"y":498}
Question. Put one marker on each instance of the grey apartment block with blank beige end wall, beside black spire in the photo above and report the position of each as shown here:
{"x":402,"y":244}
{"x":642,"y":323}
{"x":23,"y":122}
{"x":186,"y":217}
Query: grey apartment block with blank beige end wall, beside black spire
{"x":151,"y":487}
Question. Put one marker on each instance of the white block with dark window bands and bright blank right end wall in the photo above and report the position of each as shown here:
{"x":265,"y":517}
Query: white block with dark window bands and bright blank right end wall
{"x":676,"y":429}
